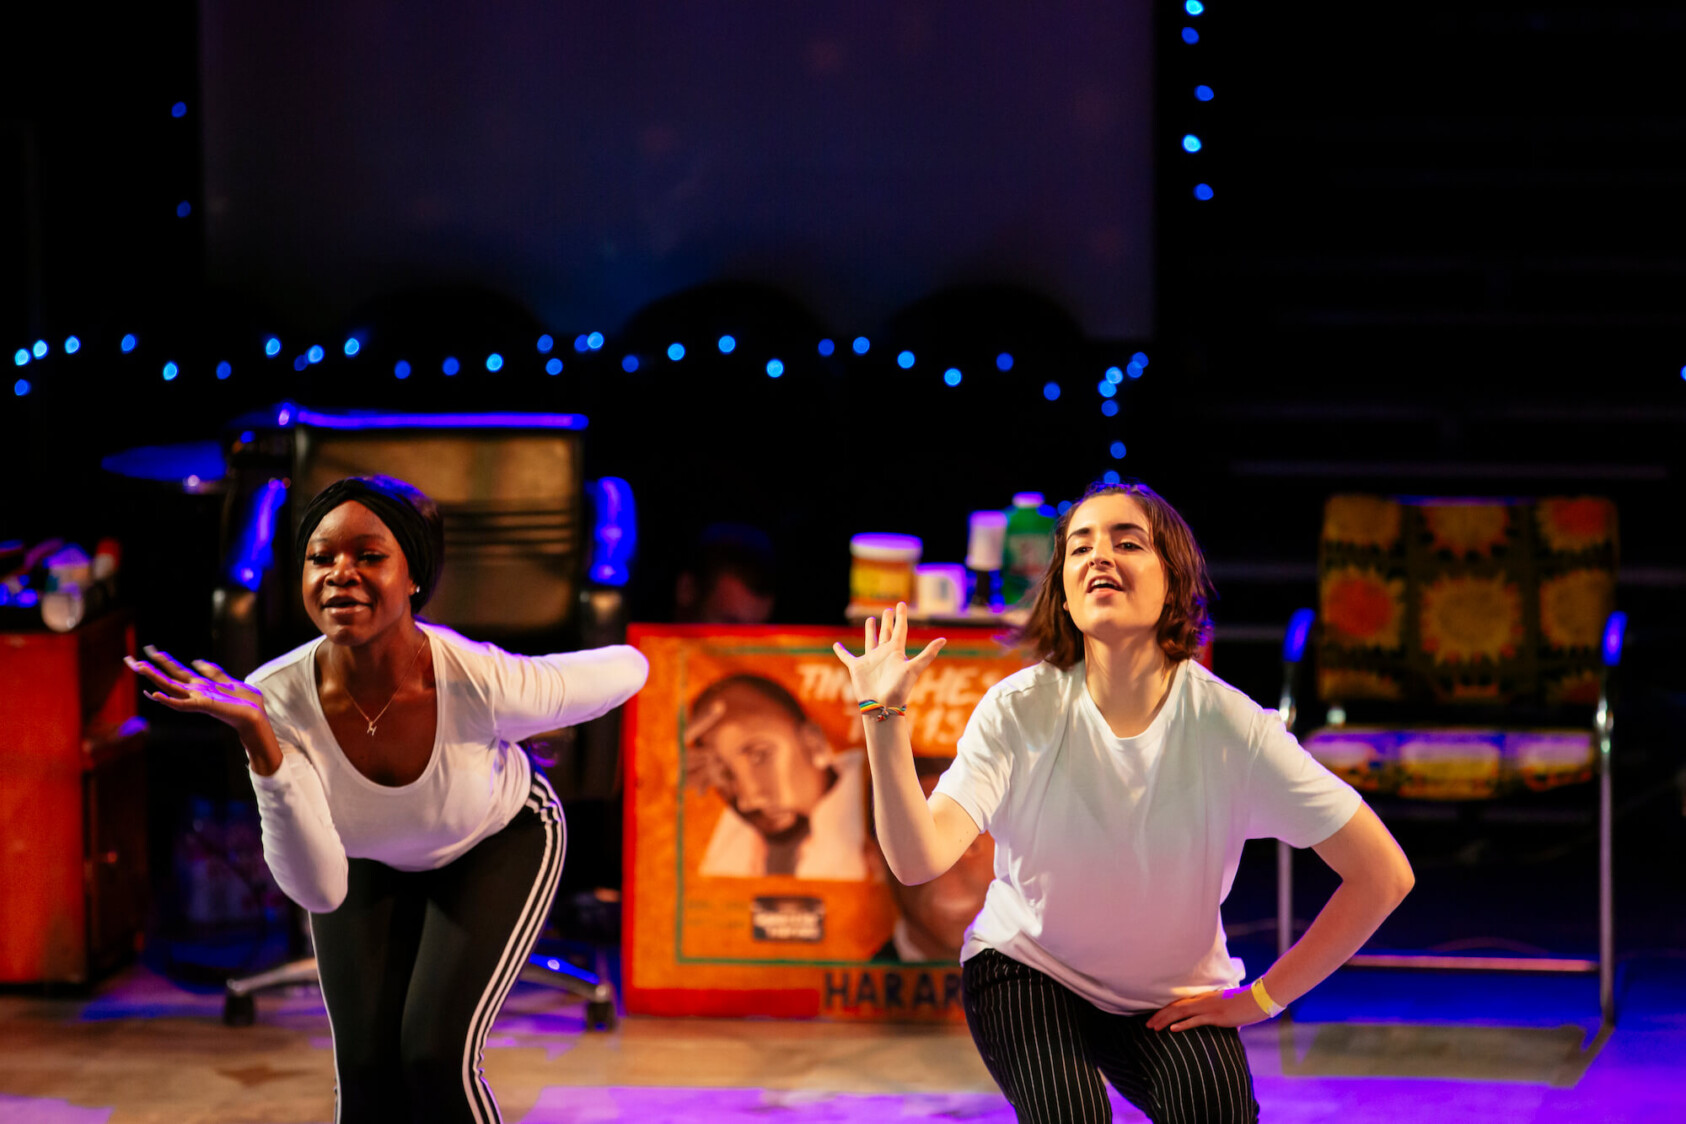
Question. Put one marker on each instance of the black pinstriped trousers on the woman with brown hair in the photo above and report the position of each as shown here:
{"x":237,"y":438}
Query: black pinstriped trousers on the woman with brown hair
{"x":1048,"y":1049}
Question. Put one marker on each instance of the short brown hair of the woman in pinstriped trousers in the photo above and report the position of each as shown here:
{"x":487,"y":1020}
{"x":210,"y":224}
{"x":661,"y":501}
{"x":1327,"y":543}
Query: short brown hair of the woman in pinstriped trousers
{"x":1186,"y":621}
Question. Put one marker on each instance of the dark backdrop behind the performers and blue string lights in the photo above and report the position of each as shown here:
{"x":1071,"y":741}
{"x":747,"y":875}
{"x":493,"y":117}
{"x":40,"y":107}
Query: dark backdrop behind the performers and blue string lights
{"x":1442,"y":255}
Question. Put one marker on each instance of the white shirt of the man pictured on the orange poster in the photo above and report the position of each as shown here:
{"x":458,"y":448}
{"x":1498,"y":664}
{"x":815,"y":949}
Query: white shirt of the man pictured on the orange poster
{"x":837,"y":835}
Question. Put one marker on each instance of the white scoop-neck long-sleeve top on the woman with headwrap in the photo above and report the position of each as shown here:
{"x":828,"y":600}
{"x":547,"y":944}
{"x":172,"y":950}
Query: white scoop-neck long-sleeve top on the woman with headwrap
{"x":318,"y":810}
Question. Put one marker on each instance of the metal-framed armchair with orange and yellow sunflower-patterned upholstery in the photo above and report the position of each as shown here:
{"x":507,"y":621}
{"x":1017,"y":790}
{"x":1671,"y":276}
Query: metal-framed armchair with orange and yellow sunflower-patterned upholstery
{"x":1463,"y":646}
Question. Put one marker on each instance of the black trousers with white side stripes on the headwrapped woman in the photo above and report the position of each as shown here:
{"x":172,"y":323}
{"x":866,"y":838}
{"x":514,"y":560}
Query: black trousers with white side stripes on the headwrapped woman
{"x":416,"y":966}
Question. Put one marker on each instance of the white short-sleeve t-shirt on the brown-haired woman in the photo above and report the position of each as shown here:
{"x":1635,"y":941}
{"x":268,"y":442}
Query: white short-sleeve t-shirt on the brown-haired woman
{"x":1114,"y":855}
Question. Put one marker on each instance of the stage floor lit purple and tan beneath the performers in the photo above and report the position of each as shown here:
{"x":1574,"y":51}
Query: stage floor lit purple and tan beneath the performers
{"x":1368,"y":1047}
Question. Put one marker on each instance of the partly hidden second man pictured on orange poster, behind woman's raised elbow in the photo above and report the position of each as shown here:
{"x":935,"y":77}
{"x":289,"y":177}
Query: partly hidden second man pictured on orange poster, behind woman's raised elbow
{"x":932,"y":919}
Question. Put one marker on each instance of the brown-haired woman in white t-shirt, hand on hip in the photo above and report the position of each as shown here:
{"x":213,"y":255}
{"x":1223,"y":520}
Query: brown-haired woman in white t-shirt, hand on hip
{"x":1120,"y":781}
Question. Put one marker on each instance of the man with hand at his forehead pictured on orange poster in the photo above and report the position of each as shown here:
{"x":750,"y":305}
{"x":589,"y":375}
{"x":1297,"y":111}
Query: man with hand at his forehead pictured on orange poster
{"x":795,"y":806}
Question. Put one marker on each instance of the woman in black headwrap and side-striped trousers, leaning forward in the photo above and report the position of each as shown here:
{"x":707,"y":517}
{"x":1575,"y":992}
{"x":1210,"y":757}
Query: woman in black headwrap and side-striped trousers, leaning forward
{"x":397,"y":806}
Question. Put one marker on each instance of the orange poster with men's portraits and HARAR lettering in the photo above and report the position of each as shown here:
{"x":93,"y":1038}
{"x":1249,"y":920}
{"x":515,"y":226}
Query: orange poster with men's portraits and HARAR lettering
{"x":754,"y":880}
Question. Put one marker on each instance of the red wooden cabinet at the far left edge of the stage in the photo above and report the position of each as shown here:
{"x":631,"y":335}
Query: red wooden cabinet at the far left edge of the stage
{"x":73,"y":805}
